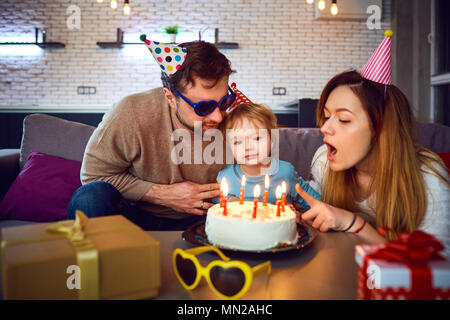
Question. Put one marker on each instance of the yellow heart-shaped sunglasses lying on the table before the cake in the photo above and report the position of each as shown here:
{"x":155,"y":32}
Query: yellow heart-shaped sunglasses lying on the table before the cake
{"x":228,"y":279}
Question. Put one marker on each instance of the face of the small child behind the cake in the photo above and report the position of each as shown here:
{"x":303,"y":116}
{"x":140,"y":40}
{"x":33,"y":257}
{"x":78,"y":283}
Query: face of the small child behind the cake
{"x":250,"y":142}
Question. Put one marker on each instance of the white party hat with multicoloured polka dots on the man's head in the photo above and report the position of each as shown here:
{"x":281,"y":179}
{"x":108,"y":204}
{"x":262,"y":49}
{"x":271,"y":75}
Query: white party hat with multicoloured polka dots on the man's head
{"x":169,"y":57}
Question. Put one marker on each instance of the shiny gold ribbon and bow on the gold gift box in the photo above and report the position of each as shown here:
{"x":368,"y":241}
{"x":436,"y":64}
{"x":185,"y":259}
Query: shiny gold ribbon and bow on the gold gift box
{"x":87,"y":254}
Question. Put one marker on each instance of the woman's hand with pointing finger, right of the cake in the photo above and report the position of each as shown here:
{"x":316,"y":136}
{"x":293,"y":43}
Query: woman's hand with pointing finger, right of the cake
{"x":323,"y":216}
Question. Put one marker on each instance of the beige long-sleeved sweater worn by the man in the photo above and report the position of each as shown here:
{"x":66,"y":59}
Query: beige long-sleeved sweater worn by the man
{"x":131,"y":149}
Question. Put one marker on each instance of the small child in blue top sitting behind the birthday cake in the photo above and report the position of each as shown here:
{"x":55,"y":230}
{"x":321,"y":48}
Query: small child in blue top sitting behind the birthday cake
{"x":247,"y":129}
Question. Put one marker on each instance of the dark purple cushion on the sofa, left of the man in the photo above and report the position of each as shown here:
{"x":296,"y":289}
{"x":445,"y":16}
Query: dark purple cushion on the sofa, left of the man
{"x":42,"y":190}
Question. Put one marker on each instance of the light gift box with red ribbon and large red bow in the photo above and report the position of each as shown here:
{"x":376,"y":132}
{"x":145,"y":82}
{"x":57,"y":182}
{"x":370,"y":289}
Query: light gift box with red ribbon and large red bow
{"x":409,"y":268}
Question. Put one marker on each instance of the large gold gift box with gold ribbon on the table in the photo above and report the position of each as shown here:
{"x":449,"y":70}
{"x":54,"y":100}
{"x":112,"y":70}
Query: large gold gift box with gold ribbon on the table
{"x":123,"y":261}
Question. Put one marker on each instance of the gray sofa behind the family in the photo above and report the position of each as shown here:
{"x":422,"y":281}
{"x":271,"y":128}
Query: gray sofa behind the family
{"x":67,"y":139}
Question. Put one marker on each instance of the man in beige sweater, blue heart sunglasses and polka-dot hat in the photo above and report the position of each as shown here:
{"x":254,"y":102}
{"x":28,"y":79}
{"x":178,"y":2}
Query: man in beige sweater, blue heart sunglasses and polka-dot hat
{"x":127,"y":166}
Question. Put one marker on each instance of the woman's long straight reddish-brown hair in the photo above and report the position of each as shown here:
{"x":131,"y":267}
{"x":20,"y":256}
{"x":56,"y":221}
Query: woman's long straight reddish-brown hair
{"x":399,"y":186}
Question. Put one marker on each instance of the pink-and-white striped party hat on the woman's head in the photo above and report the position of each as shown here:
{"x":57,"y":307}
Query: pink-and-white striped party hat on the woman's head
{"x":378,"y":68}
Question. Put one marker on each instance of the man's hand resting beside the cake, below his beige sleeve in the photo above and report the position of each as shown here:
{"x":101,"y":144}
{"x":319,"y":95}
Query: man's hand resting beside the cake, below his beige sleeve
{"x":184,"y":196}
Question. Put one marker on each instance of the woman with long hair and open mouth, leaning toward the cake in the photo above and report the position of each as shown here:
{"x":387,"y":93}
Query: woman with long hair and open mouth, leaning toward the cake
{"x":370,"y":165}
